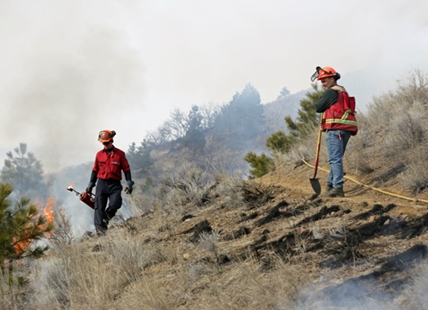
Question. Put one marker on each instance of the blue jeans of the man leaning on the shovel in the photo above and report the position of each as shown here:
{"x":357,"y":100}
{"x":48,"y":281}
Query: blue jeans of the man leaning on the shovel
{"x":336,"y":141}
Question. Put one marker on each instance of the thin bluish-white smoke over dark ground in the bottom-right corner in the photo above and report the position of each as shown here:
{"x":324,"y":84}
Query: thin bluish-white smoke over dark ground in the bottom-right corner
{"x":400,"y":280}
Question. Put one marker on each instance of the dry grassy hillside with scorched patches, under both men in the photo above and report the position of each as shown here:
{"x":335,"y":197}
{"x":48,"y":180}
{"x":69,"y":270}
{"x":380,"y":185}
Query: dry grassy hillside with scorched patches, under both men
{"x":209,"y":239}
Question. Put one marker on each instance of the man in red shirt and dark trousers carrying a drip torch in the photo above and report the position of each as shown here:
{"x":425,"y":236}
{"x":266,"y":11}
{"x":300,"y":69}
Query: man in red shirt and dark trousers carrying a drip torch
{"x":108,"y":167}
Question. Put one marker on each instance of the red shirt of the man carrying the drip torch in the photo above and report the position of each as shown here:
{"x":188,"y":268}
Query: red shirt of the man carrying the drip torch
{"x":109,"y":166}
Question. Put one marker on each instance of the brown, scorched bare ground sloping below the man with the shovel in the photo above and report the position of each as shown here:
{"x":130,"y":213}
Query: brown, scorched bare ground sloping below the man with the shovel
{"x":365,"y":245}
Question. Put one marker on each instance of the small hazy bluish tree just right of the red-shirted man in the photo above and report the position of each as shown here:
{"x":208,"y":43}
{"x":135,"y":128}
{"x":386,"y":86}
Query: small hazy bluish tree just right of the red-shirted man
{"x":140,"y":159}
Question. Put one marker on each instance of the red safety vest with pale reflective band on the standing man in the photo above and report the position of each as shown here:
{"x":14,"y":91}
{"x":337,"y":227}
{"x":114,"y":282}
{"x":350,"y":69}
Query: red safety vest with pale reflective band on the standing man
{"x":341,"y":114}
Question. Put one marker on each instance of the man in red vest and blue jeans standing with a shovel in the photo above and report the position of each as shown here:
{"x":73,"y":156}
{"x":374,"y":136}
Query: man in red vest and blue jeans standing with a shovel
{"x":338,"y":121}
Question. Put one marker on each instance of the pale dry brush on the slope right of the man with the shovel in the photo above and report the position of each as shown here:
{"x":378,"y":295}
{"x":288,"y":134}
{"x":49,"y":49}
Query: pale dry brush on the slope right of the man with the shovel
{"x":393,"y":134}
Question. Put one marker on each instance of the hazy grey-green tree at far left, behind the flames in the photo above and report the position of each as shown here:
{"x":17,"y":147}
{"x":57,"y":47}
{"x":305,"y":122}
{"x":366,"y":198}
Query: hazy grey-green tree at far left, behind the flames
{"x":24,"y":172}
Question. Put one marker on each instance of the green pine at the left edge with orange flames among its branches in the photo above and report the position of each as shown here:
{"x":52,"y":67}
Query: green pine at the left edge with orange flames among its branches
{"x":20,"y":227}
